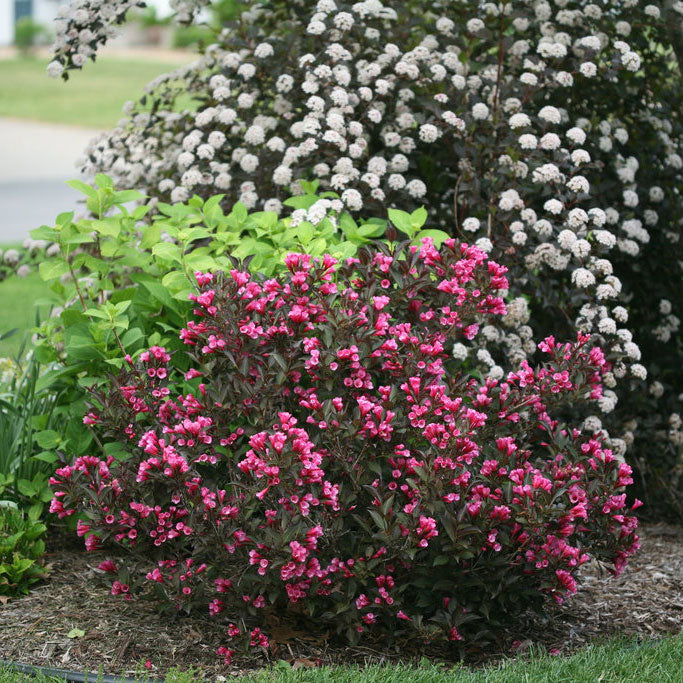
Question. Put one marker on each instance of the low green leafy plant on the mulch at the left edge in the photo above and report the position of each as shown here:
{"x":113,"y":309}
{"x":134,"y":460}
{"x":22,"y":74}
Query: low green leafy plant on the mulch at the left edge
{"x":21,"y":546}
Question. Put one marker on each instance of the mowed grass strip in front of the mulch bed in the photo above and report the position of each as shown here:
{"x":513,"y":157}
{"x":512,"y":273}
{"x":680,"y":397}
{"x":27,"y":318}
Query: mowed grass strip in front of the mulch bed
{"x":616,"y":662}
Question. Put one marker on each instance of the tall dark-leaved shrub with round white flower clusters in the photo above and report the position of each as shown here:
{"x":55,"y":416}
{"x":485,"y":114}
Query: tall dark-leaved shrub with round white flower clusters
{"x":549,"y":132}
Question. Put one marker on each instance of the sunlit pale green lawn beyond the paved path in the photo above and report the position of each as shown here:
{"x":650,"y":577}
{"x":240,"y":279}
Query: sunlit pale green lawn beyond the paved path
{"x":92,"y":97}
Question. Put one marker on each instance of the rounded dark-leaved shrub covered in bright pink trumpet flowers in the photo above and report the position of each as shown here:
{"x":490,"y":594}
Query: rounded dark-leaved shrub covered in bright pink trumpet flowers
{"x":330,"y":459}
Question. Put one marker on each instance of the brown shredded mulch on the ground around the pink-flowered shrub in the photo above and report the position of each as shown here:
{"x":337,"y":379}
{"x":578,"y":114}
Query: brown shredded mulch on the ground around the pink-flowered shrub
{"x":116,"y":636}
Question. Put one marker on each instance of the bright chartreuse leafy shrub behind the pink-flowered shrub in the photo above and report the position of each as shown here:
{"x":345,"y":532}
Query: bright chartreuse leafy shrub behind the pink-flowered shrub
{"x":119,"y":281}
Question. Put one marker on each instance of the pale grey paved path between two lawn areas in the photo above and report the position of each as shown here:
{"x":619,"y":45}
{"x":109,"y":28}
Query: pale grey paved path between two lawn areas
{"x":36,"y":160}
